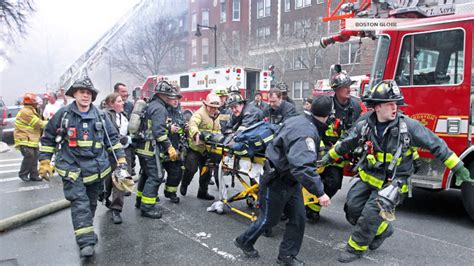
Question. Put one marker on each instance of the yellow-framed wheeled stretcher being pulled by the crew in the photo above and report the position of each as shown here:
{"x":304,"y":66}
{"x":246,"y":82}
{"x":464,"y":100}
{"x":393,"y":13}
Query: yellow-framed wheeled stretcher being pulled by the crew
{"x":247,"y":171}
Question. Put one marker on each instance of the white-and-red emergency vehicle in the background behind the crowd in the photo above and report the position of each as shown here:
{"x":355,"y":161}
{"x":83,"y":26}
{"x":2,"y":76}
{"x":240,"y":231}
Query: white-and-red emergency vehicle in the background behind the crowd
{"x":196,"y":85}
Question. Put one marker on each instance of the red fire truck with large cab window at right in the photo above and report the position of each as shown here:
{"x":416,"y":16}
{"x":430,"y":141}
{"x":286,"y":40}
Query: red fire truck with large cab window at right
{"x":431,"y":59}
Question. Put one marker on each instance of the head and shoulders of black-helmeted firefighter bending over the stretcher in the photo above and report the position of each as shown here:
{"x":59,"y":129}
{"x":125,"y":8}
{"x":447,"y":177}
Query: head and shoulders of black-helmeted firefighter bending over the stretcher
{"x":243,"y":115}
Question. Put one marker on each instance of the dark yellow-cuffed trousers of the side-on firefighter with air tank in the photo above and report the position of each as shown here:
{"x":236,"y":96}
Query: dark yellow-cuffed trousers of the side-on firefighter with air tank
{"x":149,"y":182}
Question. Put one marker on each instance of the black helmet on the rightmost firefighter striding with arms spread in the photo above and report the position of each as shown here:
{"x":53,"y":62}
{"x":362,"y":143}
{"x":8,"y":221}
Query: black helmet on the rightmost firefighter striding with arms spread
{"x":385,"y":91}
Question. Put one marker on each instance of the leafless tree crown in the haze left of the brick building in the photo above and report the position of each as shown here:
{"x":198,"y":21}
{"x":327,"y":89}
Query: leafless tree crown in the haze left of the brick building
{"x":142,"y":51}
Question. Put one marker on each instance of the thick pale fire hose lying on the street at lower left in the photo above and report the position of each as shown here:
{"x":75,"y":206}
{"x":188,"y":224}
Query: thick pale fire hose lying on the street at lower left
{"x":19,"y":219}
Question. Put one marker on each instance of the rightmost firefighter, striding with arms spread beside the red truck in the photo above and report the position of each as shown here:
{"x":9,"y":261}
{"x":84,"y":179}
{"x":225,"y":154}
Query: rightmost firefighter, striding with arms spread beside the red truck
{"x":387,"y":137}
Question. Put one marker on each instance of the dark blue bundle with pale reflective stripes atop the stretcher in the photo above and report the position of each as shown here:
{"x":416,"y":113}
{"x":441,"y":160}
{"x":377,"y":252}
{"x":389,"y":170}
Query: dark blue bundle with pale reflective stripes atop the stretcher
{"x":254,"y":139}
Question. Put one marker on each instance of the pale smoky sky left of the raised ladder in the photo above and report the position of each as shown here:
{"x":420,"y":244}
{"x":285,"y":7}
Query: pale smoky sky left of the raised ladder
{"x":59,"y":32}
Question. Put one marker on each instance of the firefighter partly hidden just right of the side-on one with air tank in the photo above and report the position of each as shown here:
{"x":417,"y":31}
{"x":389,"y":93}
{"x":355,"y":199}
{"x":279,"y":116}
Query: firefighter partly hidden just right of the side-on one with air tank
{"x":177,"y":136}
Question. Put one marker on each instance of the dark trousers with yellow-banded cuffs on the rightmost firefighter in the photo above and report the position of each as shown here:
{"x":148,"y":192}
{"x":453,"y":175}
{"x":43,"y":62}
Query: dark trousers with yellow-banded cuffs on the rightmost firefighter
{"x":362,"y":211}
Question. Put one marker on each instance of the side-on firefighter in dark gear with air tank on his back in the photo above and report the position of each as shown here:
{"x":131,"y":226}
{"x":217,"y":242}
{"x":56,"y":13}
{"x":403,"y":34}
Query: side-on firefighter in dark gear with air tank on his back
{"x":152,"y":148}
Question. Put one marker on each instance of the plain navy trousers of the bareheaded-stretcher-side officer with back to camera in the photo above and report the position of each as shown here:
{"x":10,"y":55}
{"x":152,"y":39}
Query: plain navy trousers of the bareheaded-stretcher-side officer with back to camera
{"x":279,"y":197}
